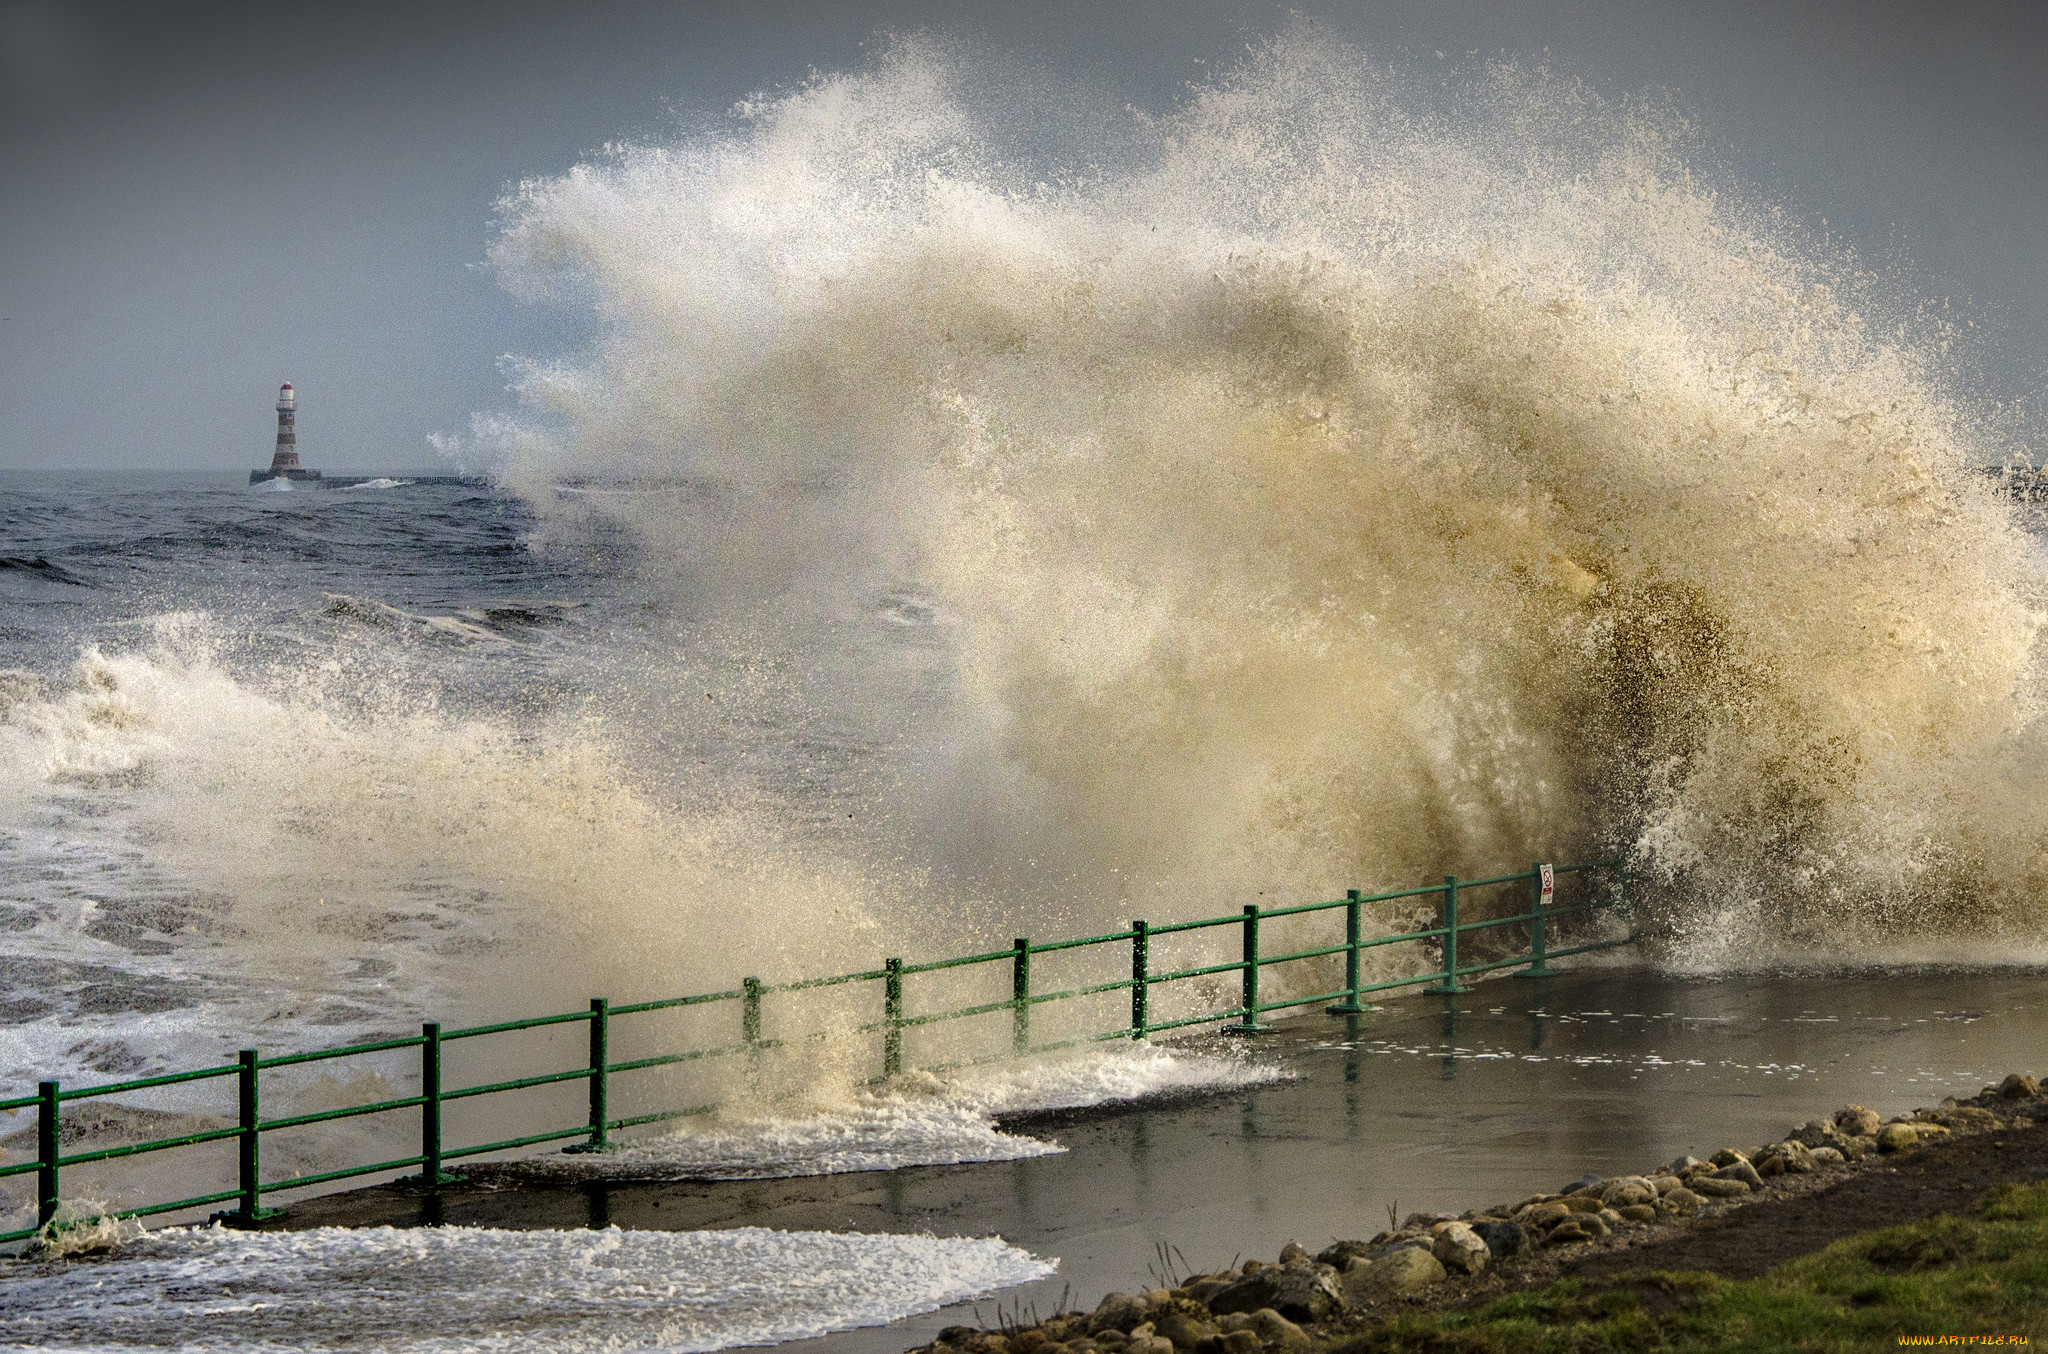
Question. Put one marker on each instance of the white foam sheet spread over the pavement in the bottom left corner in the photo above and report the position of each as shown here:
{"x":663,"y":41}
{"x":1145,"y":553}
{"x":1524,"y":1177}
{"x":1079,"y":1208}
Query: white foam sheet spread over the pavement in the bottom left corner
{"x":490,"y":1289}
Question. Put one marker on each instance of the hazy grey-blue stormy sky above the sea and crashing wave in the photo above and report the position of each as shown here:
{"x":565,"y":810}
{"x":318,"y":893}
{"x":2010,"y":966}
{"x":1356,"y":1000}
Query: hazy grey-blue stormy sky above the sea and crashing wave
{"x":200,"y":202}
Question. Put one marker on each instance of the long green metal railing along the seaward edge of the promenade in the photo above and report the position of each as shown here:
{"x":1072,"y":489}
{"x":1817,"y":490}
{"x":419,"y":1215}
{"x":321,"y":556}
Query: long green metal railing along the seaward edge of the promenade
{"x":1244,"y":1015}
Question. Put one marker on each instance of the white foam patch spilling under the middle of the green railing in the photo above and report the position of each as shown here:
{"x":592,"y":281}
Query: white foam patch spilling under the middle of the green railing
{"x":921,"y":1119}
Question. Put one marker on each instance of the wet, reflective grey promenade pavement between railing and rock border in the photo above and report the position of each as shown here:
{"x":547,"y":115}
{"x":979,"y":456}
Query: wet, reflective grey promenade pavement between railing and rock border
{"x":1426,"y":1105}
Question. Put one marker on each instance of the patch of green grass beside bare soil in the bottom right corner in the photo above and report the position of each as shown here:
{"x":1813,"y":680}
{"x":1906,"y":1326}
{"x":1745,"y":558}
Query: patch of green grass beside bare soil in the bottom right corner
{"x":1983,"y":1275}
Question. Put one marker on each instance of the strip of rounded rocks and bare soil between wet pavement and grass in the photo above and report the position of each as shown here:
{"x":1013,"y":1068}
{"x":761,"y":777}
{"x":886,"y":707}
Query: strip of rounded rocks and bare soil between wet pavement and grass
{"x":1736,"y":1216}
